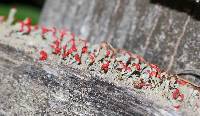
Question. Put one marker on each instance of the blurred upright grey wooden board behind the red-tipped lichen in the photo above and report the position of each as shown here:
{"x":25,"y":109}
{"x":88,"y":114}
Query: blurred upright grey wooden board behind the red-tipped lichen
{"x":164,"y":33}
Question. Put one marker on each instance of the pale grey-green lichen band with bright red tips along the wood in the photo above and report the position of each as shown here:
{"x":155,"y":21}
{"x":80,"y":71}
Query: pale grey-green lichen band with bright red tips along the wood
{"x":117,"y":66}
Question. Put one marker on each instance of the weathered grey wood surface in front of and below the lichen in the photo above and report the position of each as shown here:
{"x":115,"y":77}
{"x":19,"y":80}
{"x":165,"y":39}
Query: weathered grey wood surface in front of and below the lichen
{"x":32,"y":88}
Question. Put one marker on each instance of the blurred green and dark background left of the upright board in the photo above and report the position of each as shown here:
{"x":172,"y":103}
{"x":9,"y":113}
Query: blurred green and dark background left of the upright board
{"x":25,"y":8}
